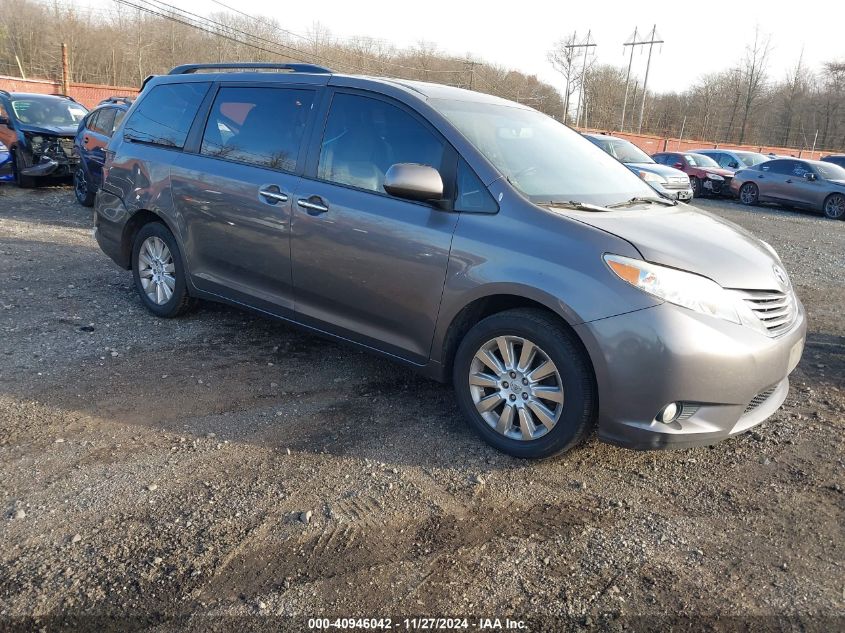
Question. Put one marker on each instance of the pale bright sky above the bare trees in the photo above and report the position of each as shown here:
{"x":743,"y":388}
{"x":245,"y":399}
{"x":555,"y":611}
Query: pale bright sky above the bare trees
{"x":700,"y":37}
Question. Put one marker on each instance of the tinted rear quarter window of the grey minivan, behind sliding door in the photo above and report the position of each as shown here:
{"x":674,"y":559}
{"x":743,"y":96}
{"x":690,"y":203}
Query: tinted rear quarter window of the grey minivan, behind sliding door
{"x":165,"y":115}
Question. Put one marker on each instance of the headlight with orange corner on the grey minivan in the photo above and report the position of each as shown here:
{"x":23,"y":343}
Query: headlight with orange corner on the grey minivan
{"x":688,"y":290}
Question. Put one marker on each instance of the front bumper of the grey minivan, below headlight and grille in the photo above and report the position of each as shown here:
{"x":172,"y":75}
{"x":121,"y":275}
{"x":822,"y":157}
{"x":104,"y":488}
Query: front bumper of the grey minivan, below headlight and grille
{"x":729,"y":377}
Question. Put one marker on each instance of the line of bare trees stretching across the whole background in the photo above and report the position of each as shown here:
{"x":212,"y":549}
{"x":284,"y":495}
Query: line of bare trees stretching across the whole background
{"x":123,"y":43}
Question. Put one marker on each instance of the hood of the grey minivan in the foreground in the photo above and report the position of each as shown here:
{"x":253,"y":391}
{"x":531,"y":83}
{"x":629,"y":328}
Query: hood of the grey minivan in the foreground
{"x":690,"y":239}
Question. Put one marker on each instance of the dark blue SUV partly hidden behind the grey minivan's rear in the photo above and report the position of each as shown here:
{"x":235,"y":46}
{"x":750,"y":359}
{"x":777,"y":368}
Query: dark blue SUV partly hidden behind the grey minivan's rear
{"x":89,"y":146}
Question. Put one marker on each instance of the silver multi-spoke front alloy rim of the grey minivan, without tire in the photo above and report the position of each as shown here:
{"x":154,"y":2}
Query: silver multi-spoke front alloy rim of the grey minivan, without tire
{"x":516,"y":388}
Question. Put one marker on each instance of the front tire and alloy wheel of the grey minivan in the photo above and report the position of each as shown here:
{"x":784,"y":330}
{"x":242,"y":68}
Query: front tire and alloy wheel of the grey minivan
{"x":525,"y":384}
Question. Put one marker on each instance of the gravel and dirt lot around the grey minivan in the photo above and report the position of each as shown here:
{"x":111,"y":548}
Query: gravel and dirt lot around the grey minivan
{"x":157,"y":472}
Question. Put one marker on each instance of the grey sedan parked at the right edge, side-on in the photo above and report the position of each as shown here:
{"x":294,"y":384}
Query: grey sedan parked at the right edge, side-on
{"x":808,"y":184}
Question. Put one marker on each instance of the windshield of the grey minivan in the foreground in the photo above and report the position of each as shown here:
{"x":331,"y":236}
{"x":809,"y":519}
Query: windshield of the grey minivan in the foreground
{"x":544,"y":159}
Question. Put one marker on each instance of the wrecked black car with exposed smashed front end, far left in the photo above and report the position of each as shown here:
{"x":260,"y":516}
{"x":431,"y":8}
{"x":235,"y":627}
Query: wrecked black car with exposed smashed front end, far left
{"x":38,"y":130}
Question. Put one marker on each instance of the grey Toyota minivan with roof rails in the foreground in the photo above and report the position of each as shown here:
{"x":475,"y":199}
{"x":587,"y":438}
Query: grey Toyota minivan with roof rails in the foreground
{"x":469,"y":237}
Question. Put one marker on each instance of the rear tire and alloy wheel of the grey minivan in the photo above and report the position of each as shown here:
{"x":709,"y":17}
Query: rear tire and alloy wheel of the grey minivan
{"x":159,"y":272}
